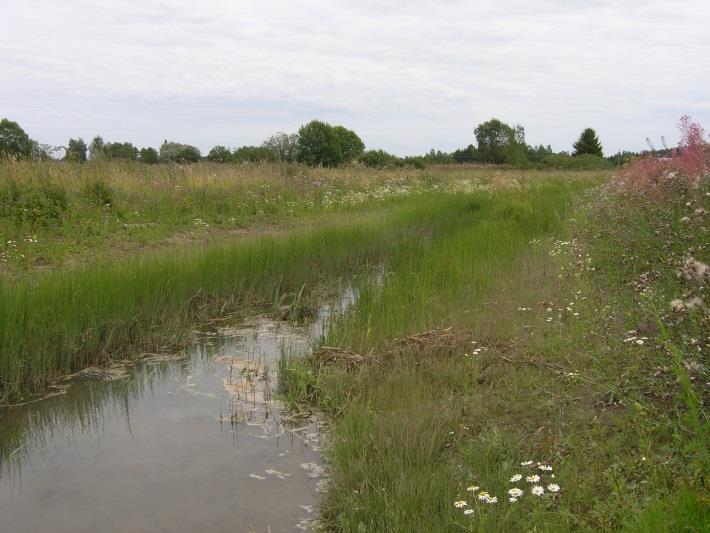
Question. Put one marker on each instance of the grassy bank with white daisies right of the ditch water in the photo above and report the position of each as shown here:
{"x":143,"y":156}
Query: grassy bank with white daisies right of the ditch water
{"x":553,"y":356}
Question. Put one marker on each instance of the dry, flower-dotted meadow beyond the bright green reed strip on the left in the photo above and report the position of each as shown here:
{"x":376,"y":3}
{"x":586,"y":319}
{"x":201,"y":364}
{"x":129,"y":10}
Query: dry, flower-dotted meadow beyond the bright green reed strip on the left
{"x":61,"y":214}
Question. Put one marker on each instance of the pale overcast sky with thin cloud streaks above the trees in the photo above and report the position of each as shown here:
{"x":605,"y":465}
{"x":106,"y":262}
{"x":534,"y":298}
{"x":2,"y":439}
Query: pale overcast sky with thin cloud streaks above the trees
{"x":407,"y":75}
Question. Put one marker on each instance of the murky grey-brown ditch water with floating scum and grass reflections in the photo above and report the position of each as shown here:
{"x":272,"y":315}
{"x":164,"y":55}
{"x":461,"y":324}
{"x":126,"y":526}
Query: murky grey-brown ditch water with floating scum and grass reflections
{"x":170,"y":444}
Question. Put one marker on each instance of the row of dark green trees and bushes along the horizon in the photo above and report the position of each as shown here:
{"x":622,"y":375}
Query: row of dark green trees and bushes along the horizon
{"x":318,"y":143}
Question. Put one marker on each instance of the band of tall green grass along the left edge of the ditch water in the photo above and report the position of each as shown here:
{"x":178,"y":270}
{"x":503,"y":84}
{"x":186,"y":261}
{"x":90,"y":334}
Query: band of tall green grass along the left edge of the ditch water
{"x":61,"y":321}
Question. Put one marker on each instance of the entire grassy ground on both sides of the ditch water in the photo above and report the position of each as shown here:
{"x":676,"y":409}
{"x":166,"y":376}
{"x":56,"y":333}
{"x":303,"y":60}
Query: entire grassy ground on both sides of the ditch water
{"x":537,"y":317}
